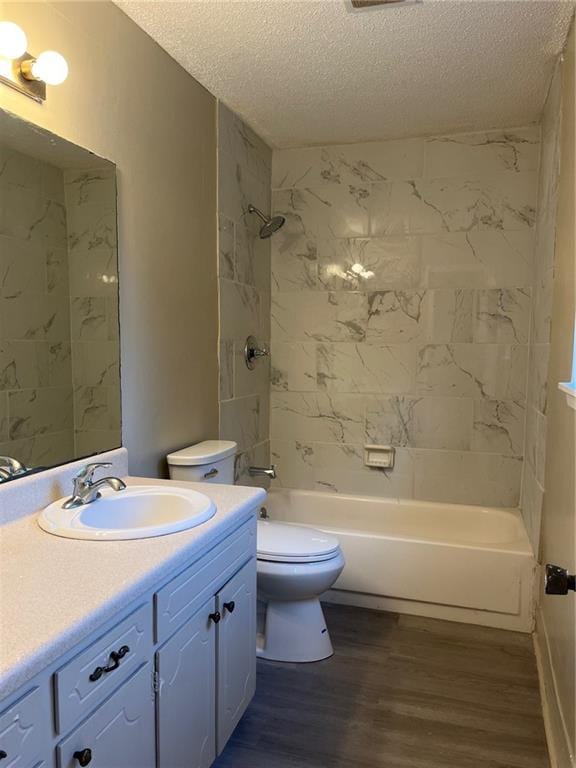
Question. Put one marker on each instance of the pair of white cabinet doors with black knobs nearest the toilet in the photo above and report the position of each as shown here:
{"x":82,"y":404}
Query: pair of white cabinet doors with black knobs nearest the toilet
{"x":213,"y":654}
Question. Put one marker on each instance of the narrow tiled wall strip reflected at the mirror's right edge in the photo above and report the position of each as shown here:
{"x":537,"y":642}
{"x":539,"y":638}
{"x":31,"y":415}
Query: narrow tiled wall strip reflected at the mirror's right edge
{"x":90,"y":198}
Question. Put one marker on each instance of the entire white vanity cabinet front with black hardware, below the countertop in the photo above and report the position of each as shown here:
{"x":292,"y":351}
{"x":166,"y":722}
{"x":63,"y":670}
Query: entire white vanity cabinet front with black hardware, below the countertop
{"x":163,"y":685}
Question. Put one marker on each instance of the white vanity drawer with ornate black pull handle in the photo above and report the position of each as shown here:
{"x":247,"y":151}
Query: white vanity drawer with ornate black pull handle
{"x":83,"y":683}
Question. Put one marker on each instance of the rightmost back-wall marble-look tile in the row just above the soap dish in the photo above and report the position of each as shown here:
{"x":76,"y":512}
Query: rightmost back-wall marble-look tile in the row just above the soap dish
{"x":498,"y":427}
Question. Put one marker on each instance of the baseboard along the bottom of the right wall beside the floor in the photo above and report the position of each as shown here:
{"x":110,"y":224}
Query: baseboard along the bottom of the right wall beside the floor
{"x":556,"y":733}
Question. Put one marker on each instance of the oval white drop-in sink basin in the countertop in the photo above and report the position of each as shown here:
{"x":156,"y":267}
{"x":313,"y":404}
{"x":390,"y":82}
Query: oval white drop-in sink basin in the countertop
{"x":138,"y":512}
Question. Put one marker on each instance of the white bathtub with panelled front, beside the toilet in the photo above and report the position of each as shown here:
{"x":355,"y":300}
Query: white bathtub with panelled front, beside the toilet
{"x":449,"y":561}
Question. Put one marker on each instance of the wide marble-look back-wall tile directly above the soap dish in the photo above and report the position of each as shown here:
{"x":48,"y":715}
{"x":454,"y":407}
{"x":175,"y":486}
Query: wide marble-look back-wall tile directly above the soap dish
{"x":420,"y":422}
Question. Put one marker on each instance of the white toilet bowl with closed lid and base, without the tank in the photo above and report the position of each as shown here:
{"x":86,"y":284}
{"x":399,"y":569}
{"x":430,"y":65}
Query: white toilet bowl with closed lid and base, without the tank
{"x":295,"y":566}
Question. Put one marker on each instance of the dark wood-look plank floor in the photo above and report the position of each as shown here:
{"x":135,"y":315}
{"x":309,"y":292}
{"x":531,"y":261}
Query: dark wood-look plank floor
{"x":400,"y":692}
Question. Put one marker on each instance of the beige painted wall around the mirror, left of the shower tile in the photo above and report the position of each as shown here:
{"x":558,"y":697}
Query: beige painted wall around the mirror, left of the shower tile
{"x":128,"y":101}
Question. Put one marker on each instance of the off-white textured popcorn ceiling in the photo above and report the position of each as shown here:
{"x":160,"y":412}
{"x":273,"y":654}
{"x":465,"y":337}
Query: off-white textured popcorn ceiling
{"x":304,"y":72}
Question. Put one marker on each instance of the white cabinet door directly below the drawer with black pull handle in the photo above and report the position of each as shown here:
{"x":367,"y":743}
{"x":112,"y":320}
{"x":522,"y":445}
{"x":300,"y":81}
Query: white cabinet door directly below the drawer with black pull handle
{"x":120,"y":734}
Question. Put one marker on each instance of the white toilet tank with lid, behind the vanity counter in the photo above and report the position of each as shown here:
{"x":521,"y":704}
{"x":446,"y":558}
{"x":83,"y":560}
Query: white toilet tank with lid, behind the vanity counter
{"x":211,"y":461}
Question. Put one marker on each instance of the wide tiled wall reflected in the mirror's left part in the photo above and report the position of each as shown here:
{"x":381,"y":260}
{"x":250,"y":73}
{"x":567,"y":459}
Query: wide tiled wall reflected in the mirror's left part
{"x":36,"y":402}
